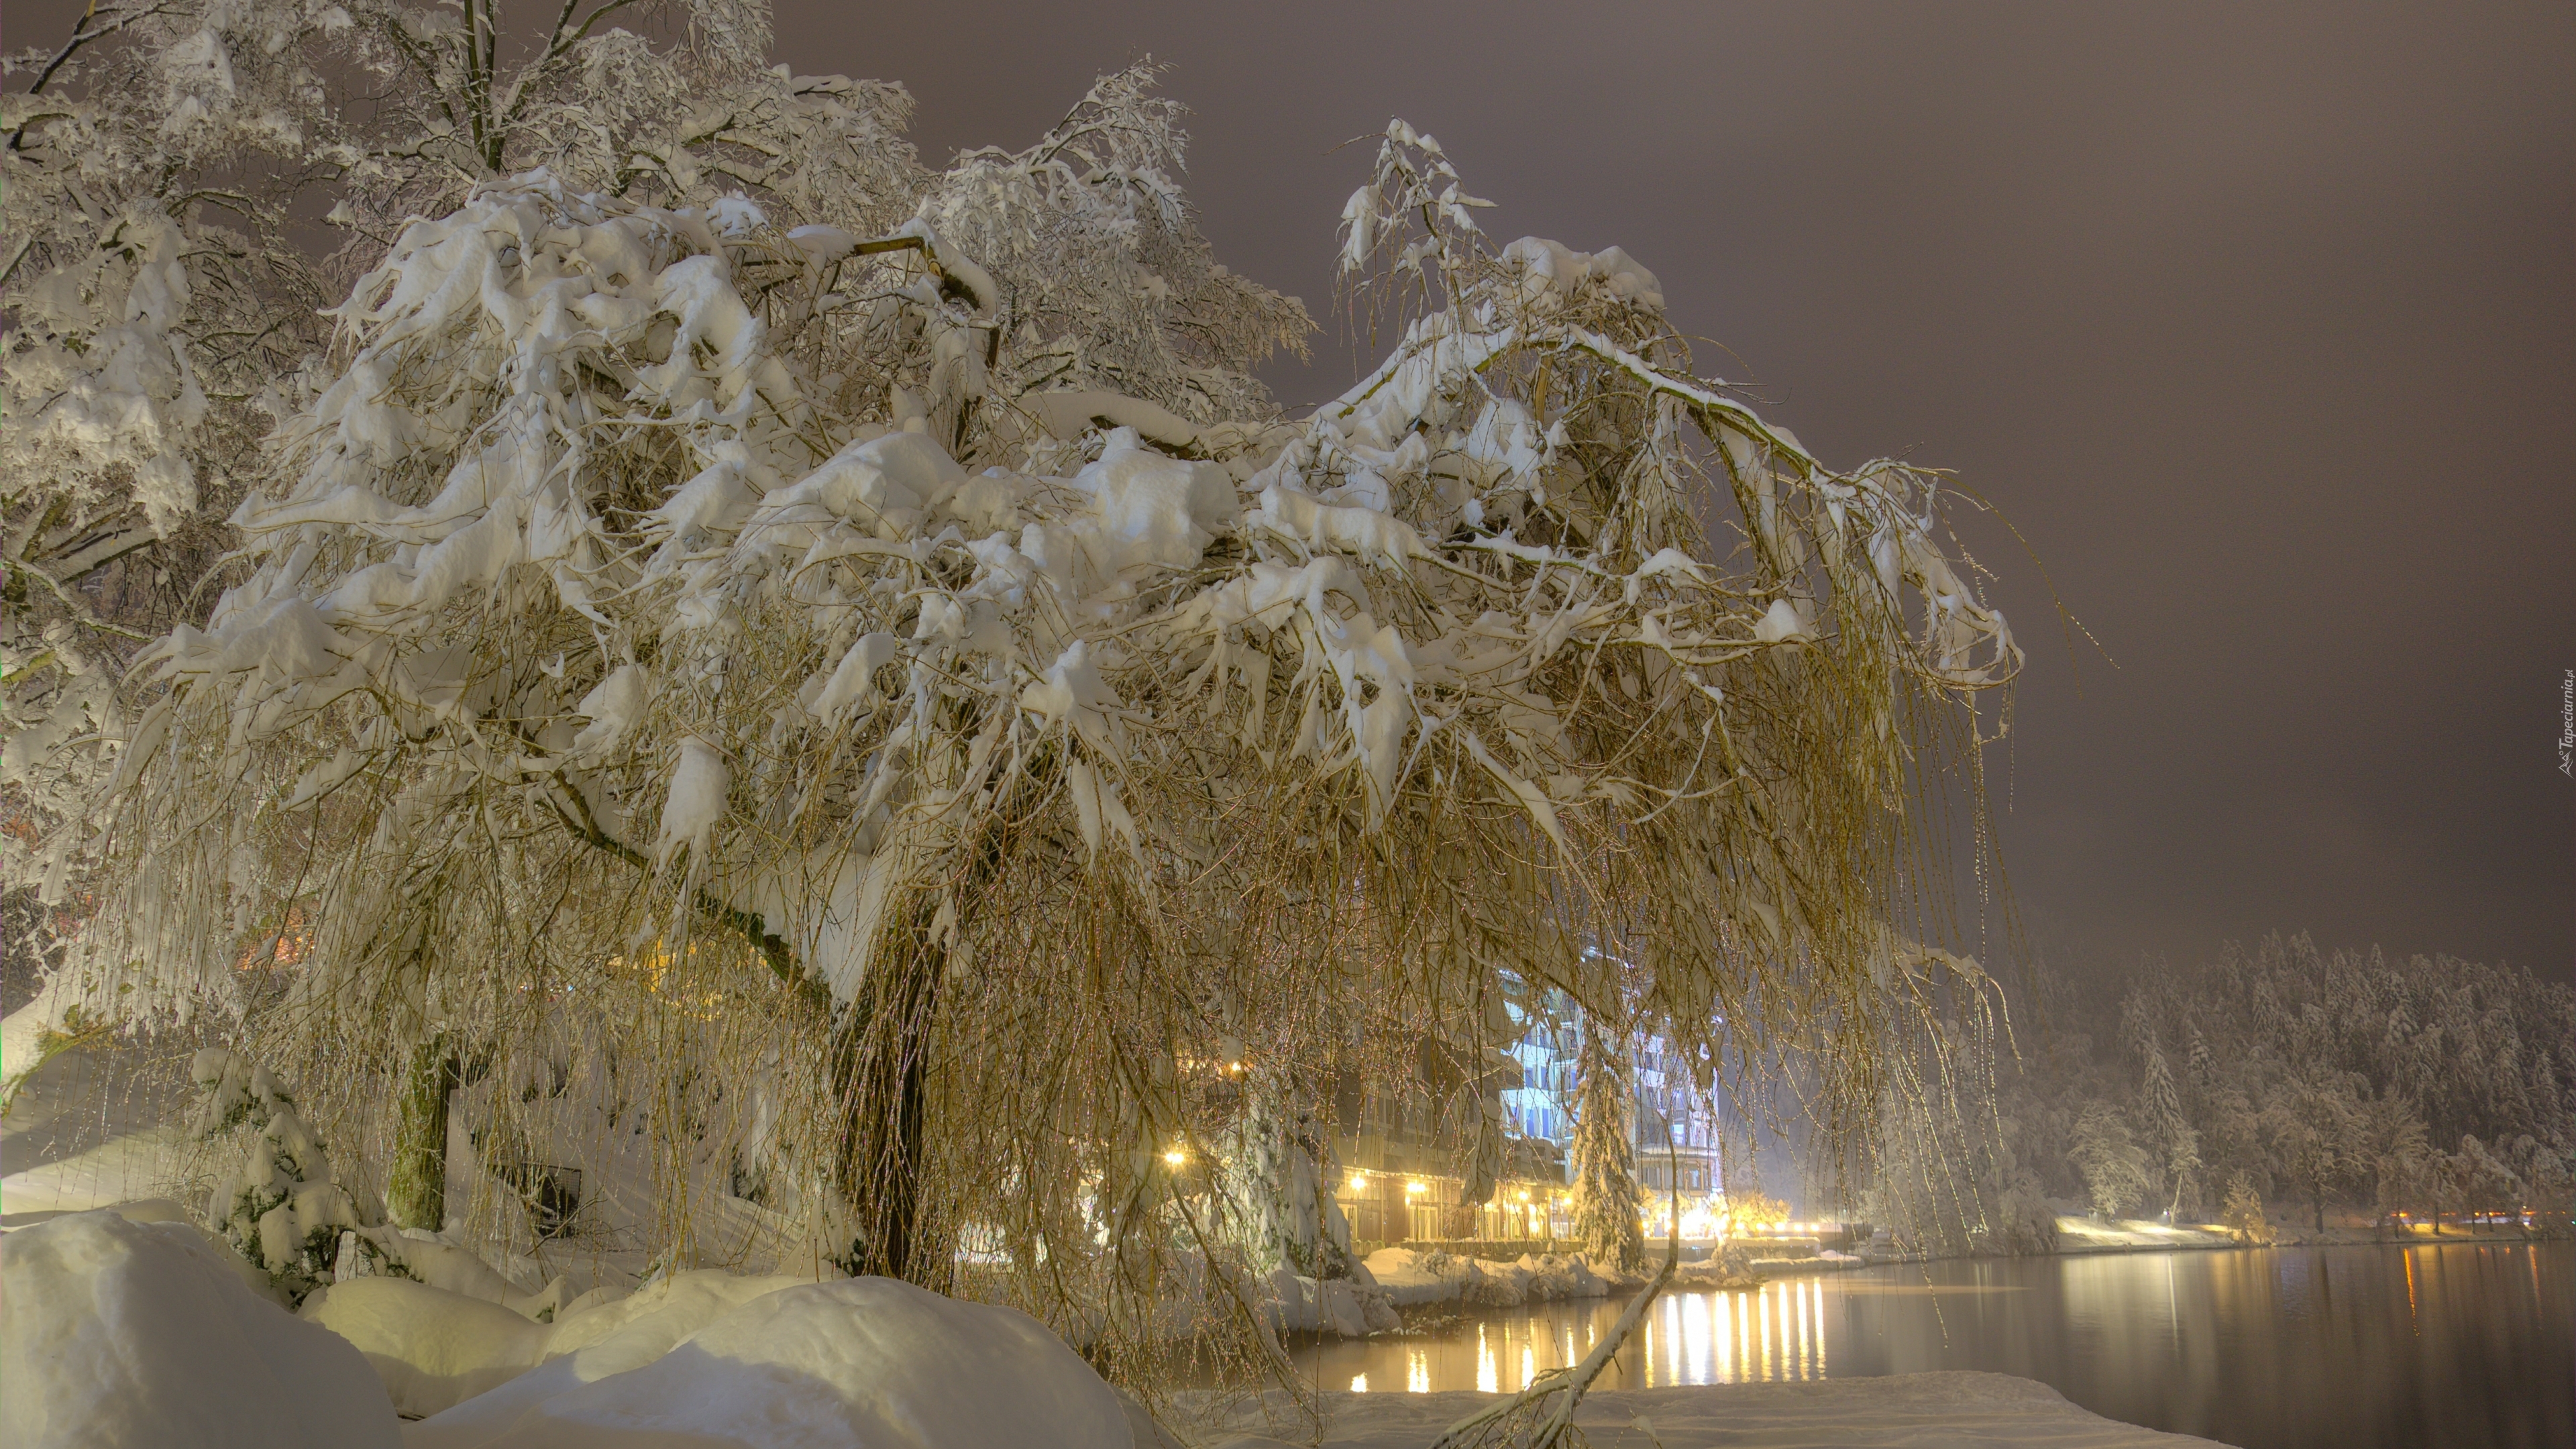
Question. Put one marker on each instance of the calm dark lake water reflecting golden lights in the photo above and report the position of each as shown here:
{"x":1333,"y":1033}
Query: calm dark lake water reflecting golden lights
{"x":2271,"y":1347}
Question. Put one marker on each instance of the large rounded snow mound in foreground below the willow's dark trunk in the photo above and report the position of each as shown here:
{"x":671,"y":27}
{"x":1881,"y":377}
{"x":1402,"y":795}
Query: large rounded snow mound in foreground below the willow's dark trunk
{"x":869,"y":1363}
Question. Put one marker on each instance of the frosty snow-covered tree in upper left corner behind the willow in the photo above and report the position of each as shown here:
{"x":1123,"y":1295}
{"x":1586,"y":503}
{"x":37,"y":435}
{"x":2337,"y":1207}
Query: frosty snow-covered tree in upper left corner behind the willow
{"x":166,"y":316}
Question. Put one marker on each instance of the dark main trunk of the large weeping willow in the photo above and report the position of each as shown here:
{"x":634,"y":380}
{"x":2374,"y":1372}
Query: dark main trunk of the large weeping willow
{"x":880,"y":1061}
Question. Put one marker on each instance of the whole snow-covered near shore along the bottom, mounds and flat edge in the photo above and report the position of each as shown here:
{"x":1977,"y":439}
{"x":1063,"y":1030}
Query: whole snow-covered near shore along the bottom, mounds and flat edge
{"x":130,"y":1334}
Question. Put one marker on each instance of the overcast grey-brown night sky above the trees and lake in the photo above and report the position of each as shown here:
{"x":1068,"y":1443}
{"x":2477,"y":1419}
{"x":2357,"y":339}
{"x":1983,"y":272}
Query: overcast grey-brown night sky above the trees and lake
{"x":2255,"y":321}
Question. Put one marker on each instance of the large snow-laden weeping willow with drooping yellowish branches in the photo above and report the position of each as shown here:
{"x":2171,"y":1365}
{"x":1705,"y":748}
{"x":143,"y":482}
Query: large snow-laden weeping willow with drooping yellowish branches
{"x":916,"y":726}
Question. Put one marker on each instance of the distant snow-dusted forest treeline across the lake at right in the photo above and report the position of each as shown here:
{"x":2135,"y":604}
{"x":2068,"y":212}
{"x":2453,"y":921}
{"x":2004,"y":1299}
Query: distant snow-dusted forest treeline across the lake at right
{"x":2330,"y":1087}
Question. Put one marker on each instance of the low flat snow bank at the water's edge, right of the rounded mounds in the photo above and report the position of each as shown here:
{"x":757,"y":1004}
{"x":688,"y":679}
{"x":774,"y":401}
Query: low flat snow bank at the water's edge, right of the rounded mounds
{"x":1923,"y":1412}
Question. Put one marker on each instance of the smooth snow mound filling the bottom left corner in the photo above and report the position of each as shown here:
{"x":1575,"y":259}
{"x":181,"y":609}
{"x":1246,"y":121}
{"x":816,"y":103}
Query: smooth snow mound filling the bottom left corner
{"x":143,"y":1334}
